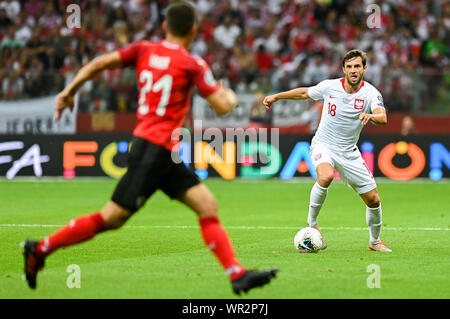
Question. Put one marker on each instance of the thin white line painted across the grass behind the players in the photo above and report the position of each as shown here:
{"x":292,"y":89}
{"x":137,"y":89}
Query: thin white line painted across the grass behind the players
{"x":241,"y":227}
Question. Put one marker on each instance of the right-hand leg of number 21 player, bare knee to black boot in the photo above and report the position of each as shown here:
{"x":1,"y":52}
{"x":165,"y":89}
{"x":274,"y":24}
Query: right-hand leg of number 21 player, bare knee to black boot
{"x":202,"y":202}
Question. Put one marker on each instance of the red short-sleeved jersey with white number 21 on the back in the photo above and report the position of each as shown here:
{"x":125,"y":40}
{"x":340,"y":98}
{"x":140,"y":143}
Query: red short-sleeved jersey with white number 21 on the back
{"x":166,"y":73}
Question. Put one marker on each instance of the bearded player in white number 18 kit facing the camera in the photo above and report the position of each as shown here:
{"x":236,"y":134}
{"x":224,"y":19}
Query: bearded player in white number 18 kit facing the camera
{"x":349,"y":104}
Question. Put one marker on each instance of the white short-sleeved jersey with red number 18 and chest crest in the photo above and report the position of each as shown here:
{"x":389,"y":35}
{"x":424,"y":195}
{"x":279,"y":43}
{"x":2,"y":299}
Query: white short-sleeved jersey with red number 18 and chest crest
{"x":340,"y":125}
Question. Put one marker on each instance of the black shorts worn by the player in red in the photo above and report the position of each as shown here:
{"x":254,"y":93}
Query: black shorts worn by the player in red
{"x":150,"y":167}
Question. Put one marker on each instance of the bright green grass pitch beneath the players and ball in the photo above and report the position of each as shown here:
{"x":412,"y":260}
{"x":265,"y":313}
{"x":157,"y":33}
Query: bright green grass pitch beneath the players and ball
{"x":155,"y":256}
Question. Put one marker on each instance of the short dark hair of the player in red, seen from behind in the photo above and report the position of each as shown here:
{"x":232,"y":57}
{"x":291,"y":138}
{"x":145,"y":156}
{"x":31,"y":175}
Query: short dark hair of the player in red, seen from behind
{"x":180,"y":18}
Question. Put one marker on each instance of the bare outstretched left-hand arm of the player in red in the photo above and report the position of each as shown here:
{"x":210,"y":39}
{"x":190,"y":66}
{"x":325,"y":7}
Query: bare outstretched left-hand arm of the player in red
{"x":66,"y":97}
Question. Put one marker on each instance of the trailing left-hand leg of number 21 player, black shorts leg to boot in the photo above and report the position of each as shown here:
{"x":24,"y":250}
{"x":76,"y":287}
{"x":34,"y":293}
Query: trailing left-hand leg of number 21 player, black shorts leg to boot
{"x":129,"y":195}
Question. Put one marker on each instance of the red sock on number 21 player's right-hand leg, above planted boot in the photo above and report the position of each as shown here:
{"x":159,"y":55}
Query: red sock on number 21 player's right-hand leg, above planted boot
{"x":216,"y":238}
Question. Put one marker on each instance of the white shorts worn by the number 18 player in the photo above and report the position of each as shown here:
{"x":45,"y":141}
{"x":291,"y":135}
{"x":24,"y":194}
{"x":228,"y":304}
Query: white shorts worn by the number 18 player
{"x":350,"y":166}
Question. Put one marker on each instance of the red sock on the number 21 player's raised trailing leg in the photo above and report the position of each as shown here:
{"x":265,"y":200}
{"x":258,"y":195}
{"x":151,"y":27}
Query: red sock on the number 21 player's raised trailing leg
{"x":76,"y":231}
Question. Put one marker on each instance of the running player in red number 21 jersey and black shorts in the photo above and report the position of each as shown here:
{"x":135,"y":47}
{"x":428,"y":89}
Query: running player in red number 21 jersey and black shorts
{"x":166,"y":73}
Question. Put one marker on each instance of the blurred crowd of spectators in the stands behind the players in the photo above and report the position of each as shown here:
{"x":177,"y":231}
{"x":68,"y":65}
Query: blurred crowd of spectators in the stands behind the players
{"x":252,"y":45}
